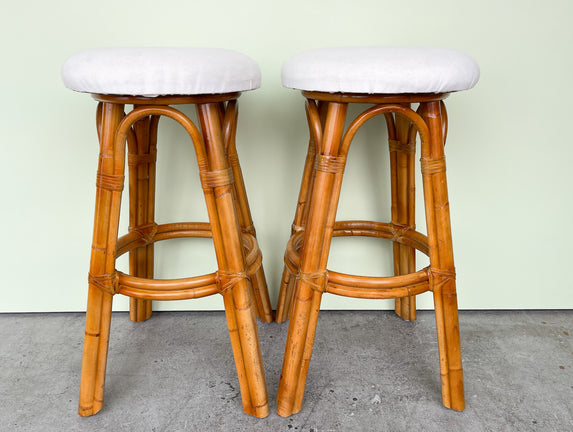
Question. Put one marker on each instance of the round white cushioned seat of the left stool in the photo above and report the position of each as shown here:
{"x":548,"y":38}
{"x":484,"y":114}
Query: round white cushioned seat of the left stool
{"x":160,"y":71}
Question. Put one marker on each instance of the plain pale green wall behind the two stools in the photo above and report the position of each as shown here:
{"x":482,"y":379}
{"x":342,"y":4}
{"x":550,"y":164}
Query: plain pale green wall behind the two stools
{"x":509,"y":153}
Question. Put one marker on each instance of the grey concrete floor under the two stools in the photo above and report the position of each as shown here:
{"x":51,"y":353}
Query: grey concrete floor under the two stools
{"x":370,"y":372}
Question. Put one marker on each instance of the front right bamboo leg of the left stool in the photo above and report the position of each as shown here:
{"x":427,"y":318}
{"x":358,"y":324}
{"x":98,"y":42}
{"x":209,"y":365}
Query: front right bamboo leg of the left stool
{"x":239,"y":307}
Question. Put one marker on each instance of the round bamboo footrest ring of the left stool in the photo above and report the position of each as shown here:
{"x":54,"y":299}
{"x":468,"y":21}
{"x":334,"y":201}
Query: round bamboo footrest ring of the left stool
{"x":177,"y":289}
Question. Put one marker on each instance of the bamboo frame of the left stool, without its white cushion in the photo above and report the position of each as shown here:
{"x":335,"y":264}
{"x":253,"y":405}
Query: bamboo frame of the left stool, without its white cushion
{"x":240,"y":277}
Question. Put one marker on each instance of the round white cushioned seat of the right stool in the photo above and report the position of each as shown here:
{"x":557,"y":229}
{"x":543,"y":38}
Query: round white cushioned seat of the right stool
{"x":380,"y":70}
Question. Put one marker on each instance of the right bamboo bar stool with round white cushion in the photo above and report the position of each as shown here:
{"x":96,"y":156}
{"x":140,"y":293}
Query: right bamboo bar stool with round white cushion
{"x":391,"y":79}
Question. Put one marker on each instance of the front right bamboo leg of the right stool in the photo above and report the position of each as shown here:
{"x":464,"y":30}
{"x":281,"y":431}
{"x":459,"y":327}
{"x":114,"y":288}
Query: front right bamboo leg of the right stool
{"x":442,"y":280}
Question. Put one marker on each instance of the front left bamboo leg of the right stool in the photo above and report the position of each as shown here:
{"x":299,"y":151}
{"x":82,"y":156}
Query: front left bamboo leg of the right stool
{"x":314,"y":256}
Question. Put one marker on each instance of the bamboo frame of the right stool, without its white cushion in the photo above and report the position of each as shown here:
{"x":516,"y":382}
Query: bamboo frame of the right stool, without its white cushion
{"x":306,"y":278}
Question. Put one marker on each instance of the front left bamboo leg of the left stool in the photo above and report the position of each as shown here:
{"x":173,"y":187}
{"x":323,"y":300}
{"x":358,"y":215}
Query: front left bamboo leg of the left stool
{"x":102,"y":265}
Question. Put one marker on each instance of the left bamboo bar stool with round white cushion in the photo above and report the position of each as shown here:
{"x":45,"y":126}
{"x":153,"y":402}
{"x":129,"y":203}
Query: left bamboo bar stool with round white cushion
{"x":153,"y":79}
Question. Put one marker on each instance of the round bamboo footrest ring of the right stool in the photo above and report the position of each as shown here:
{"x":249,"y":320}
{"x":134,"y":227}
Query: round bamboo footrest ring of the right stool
{"x":366,"y":286}
